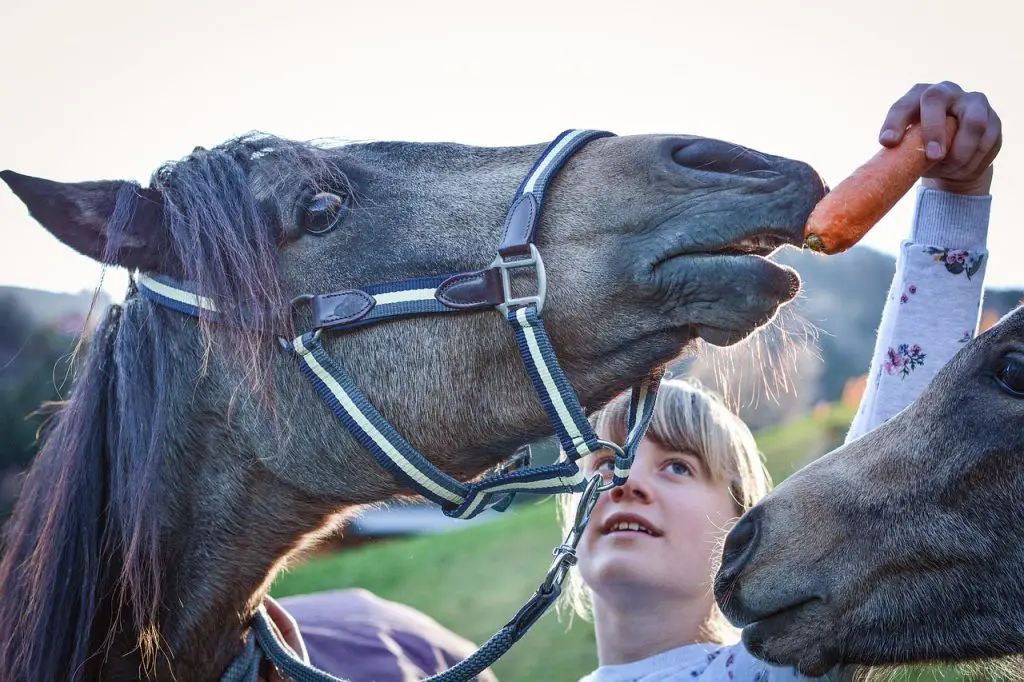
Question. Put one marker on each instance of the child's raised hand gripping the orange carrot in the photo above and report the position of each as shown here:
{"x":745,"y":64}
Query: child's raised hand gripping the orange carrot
{"x":965,"y":164}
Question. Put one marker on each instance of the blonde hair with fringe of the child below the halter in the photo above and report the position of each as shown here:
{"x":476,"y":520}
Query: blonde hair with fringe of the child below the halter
{"x":688,"y":418}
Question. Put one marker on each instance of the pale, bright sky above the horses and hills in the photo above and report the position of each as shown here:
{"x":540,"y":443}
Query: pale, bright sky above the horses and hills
{"x":110,"y":90}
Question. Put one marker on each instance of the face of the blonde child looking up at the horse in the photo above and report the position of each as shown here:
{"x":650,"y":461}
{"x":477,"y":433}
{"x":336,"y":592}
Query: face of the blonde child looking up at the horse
{"x":687,"y":517}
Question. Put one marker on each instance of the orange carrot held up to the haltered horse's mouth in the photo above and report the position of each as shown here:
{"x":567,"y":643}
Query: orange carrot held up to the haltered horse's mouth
{"x":857,"y":205}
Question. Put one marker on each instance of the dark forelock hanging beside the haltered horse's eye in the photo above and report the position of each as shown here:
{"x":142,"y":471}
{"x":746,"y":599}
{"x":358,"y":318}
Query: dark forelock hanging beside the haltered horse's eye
{"x":228,"y":244}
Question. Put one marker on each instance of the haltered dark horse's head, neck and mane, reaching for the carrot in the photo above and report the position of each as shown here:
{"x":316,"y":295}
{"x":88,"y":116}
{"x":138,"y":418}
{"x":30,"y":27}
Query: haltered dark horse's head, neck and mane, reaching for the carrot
{"x":193,"y":458}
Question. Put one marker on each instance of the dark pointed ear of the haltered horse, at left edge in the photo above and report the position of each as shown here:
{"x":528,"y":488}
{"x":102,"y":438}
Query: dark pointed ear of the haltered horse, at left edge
{"x":111,"y":222}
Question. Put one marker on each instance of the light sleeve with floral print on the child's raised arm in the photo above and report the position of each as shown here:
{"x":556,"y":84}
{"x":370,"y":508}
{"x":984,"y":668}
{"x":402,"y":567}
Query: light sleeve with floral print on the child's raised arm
{"x":933,"y":307}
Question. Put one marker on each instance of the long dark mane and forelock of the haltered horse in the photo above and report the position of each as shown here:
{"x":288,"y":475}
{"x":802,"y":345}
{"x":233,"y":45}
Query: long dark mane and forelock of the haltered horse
{"x":83,"y":540}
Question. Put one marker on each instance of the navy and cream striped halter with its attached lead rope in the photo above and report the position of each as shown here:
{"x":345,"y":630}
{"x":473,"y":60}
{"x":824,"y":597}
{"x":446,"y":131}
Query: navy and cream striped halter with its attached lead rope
{"x":480,"y":290}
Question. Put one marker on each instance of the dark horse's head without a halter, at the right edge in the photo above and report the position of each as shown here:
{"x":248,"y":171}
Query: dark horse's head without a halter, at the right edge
{"x":906,"y":545}
